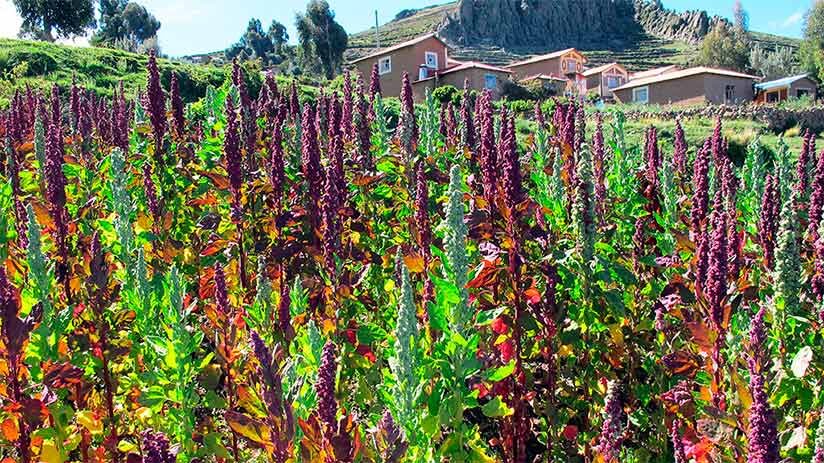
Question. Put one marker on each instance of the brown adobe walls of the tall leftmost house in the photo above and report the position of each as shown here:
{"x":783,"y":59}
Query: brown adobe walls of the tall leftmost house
{"x":406,"y":59}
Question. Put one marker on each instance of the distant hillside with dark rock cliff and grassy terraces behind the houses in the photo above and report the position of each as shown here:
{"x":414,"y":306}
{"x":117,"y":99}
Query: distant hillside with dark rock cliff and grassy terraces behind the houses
{"x":637,"y":33}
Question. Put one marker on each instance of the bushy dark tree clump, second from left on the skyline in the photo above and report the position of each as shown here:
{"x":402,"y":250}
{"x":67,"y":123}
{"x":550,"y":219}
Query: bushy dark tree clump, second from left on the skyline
{"x":126,"y":25}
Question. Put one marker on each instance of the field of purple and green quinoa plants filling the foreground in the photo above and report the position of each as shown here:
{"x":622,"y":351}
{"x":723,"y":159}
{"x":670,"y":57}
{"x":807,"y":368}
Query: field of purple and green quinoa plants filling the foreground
{"x":275,"y":278}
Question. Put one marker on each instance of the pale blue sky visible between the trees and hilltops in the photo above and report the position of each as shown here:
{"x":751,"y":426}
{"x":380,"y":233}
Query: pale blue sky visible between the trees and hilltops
{"x":199,"y":26}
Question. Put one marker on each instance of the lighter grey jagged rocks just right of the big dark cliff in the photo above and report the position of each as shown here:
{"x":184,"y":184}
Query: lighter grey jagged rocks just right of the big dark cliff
{"x":689,"y":26}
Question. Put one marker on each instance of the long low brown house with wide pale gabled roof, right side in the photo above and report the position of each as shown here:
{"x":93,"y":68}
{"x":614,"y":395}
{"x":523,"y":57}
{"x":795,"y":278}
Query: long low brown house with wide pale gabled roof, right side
{"x":689,"y":86}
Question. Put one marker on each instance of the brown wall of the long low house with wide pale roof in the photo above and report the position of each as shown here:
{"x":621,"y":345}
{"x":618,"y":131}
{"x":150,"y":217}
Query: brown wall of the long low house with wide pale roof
{"x":699,"y":88}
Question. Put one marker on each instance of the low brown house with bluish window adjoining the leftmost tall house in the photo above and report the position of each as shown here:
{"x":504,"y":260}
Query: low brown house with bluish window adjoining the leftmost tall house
{"x":478,"y":76}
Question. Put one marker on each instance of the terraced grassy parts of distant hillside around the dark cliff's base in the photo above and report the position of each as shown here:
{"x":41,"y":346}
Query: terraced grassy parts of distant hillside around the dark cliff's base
{"x":647,"y":53}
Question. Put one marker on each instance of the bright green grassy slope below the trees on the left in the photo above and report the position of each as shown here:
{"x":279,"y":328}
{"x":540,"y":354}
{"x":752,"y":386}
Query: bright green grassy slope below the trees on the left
{"x":40,"y":64}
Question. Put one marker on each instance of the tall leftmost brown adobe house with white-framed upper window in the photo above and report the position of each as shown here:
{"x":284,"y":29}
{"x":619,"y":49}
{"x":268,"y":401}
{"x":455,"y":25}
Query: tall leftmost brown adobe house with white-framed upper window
{"x":421,"y":57}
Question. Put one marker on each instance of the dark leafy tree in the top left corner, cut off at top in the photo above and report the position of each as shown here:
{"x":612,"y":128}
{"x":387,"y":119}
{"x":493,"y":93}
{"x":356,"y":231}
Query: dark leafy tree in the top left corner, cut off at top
{"x":42,"y":19}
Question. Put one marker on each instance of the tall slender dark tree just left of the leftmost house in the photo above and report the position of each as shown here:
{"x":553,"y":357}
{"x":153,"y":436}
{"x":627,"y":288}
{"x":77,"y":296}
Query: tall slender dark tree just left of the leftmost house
{"x":321,"y":37}
